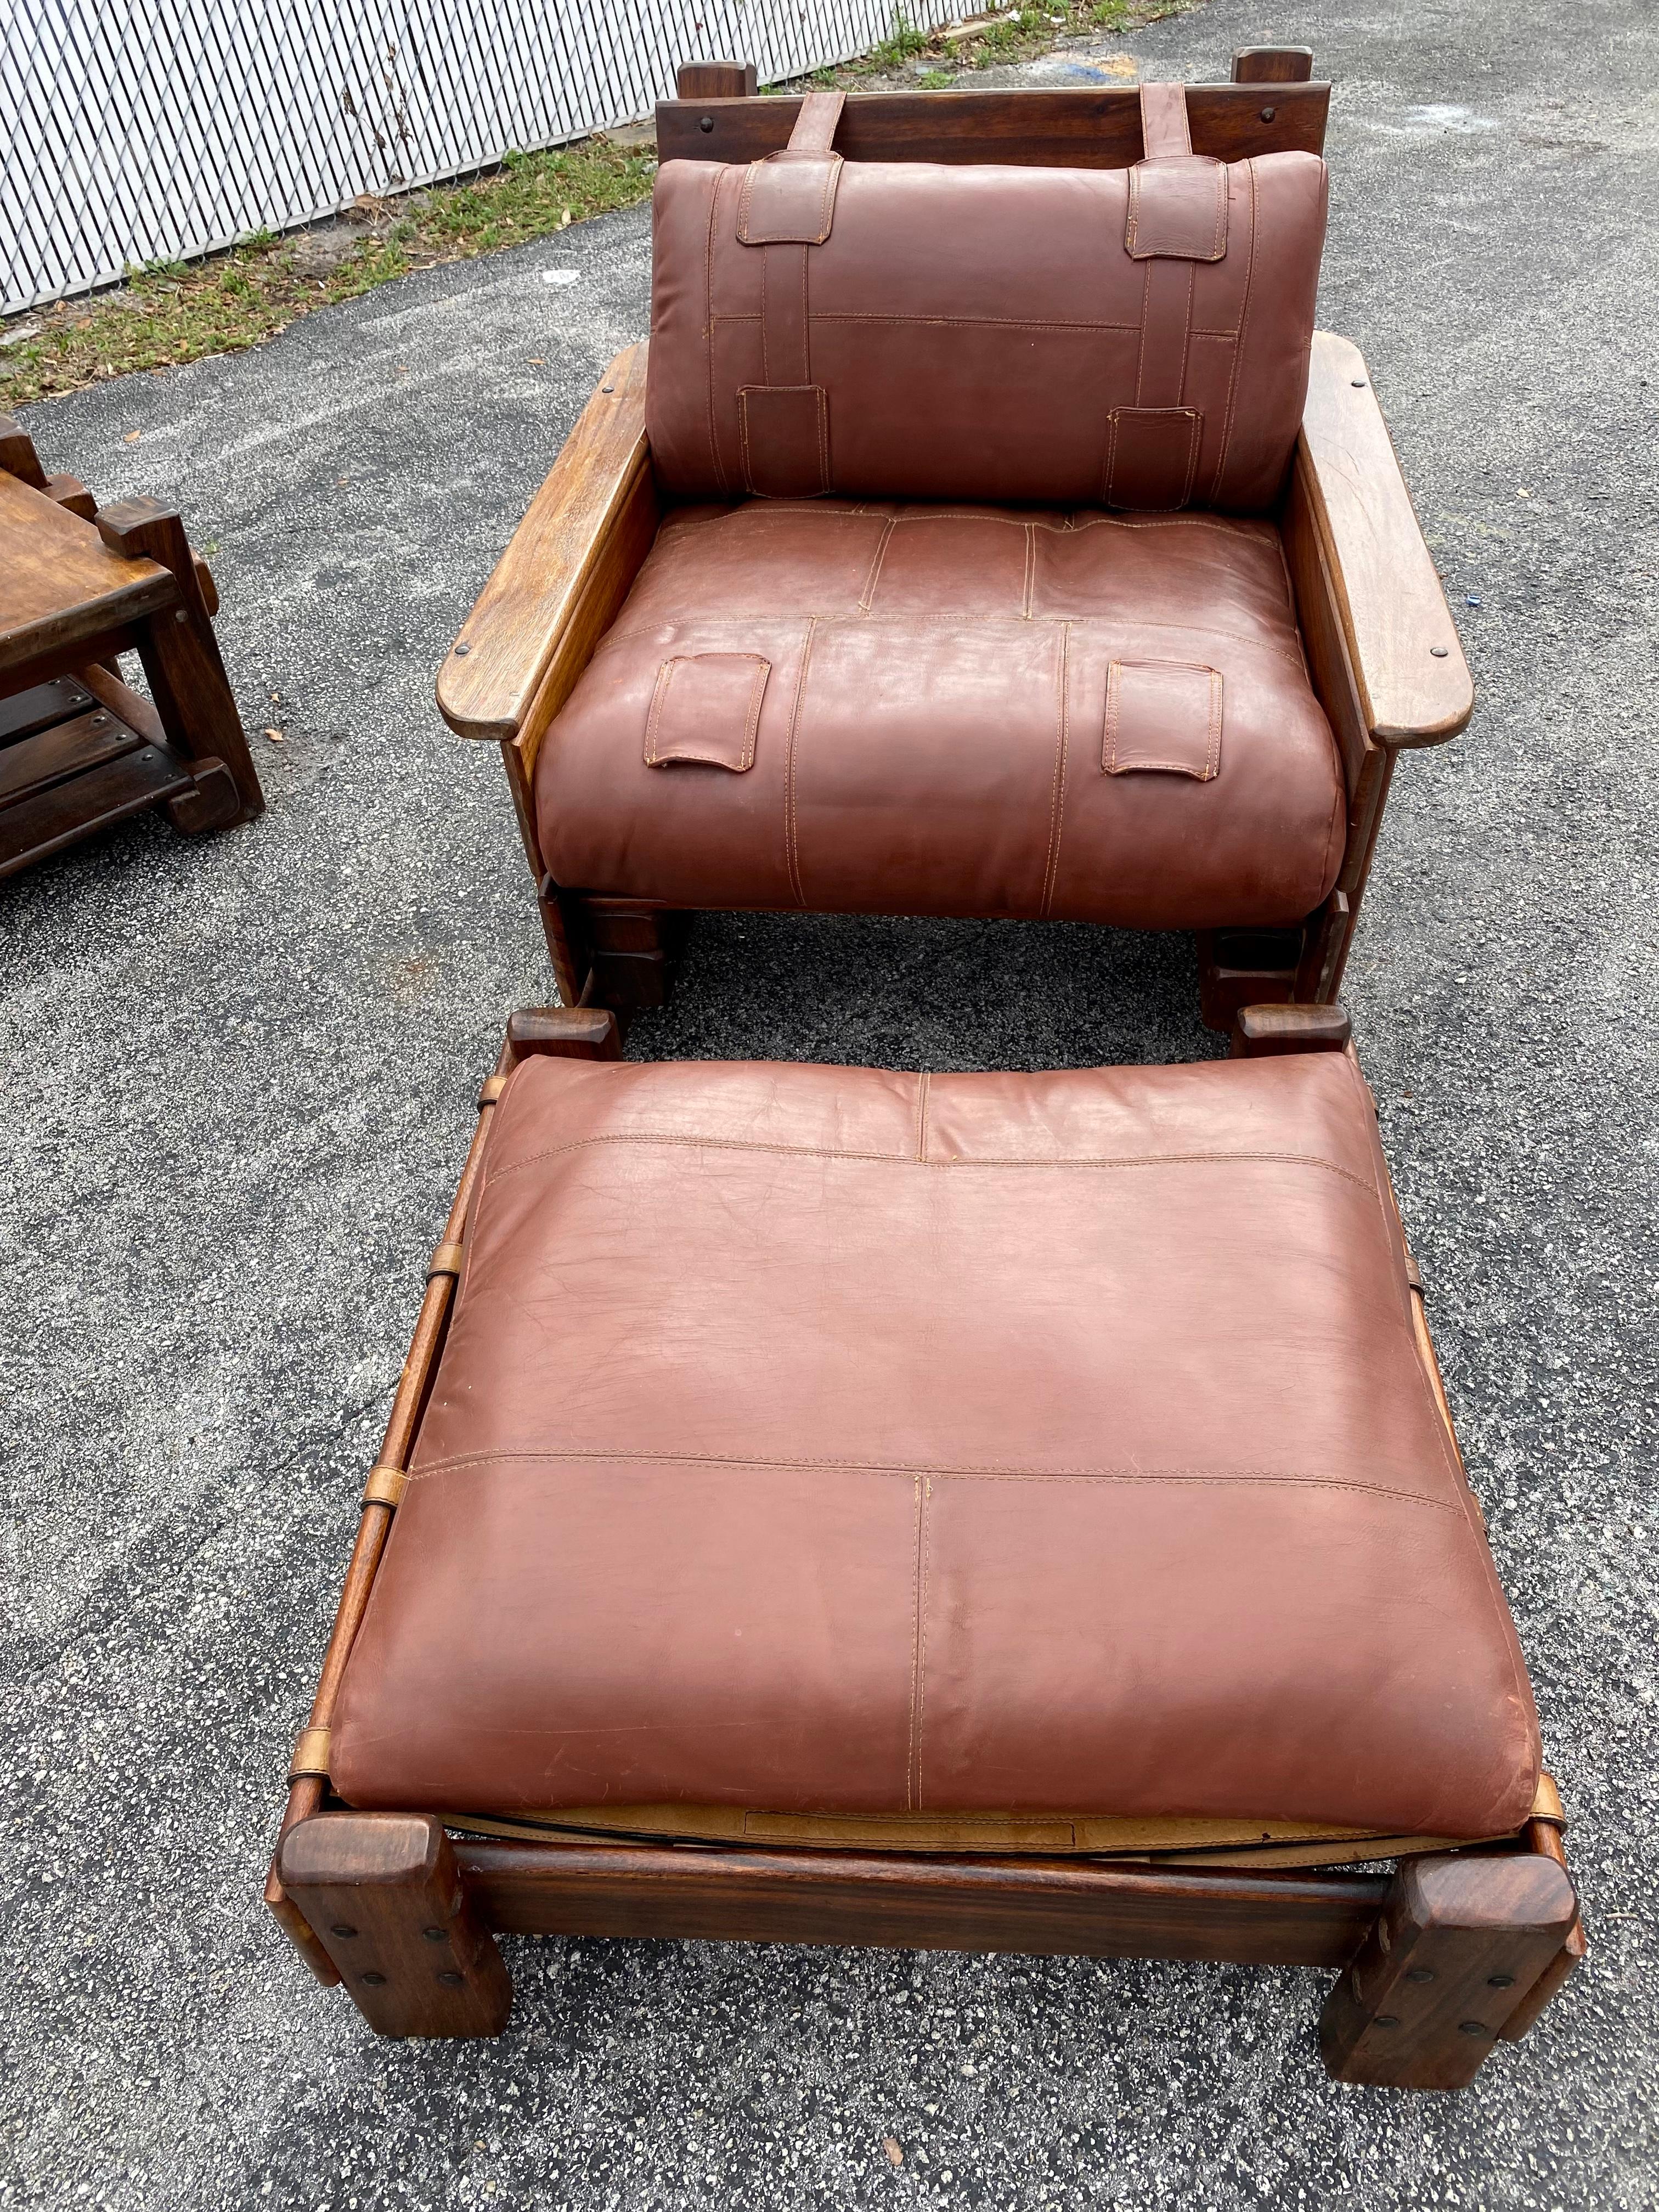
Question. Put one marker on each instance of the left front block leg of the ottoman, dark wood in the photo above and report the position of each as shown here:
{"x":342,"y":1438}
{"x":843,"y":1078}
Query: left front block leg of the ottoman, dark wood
{"x":384,"y":1895}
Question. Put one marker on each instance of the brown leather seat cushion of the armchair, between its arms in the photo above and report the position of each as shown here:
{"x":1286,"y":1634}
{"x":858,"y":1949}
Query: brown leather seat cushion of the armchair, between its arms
{"x":952,"y":711}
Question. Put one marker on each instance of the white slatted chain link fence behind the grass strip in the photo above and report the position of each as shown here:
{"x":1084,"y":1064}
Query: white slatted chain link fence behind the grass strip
{"x":160,"y":129}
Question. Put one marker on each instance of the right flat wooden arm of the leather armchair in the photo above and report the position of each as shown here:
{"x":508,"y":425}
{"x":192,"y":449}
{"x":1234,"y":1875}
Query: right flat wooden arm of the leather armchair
{"x":1401,"y":640}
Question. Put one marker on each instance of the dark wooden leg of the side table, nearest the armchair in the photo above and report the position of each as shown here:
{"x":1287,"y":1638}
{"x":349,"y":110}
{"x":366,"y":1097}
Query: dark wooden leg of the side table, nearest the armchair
{"x":180,"y":651}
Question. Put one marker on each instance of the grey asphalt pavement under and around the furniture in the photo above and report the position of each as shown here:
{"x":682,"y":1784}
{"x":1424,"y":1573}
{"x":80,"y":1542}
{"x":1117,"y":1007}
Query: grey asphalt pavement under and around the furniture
{"x":240,"y":1083}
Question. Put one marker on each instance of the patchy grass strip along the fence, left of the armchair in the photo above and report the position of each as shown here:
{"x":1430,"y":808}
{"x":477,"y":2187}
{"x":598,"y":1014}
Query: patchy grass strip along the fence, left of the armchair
{"x":174,"y":313}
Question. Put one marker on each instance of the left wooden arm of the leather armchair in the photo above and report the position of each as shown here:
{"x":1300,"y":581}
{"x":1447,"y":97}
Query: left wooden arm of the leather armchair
{"x":559,"y":570}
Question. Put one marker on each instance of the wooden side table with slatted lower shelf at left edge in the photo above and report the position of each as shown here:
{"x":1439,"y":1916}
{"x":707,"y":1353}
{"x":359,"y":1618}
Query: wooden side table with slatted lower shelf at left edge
{"x":79,"y":749}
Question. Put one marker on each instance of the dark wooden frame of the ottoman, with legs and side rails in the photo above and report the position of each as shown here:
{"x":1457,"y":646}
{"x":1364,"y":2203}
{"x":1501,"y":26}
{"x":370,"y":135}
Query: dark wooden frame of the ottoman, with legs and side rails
{"x":1437,"y":1961}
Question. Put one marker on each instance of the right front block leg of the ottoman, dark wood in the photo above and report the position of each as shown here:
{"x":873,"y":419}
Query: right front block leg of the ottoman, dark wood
{"x":1457,"y":1952}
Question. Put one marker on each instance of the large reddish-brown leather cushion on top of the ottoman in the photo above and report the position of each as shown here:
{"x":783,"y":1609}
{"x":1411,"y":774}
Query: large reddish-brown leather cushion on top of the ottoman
{"x":835,"y":1441}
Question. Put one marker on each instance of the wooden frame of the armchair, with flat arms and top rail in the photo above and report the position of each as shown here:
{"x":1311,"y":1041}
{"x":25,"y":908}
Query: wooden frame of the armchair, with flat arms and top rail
{"x":1384,"y":651}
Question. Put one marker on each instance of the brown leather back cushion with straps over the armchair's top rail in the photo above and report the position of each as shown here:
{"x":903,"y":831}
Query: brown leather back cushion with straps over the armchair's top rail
{"x":1125,"y":340}
